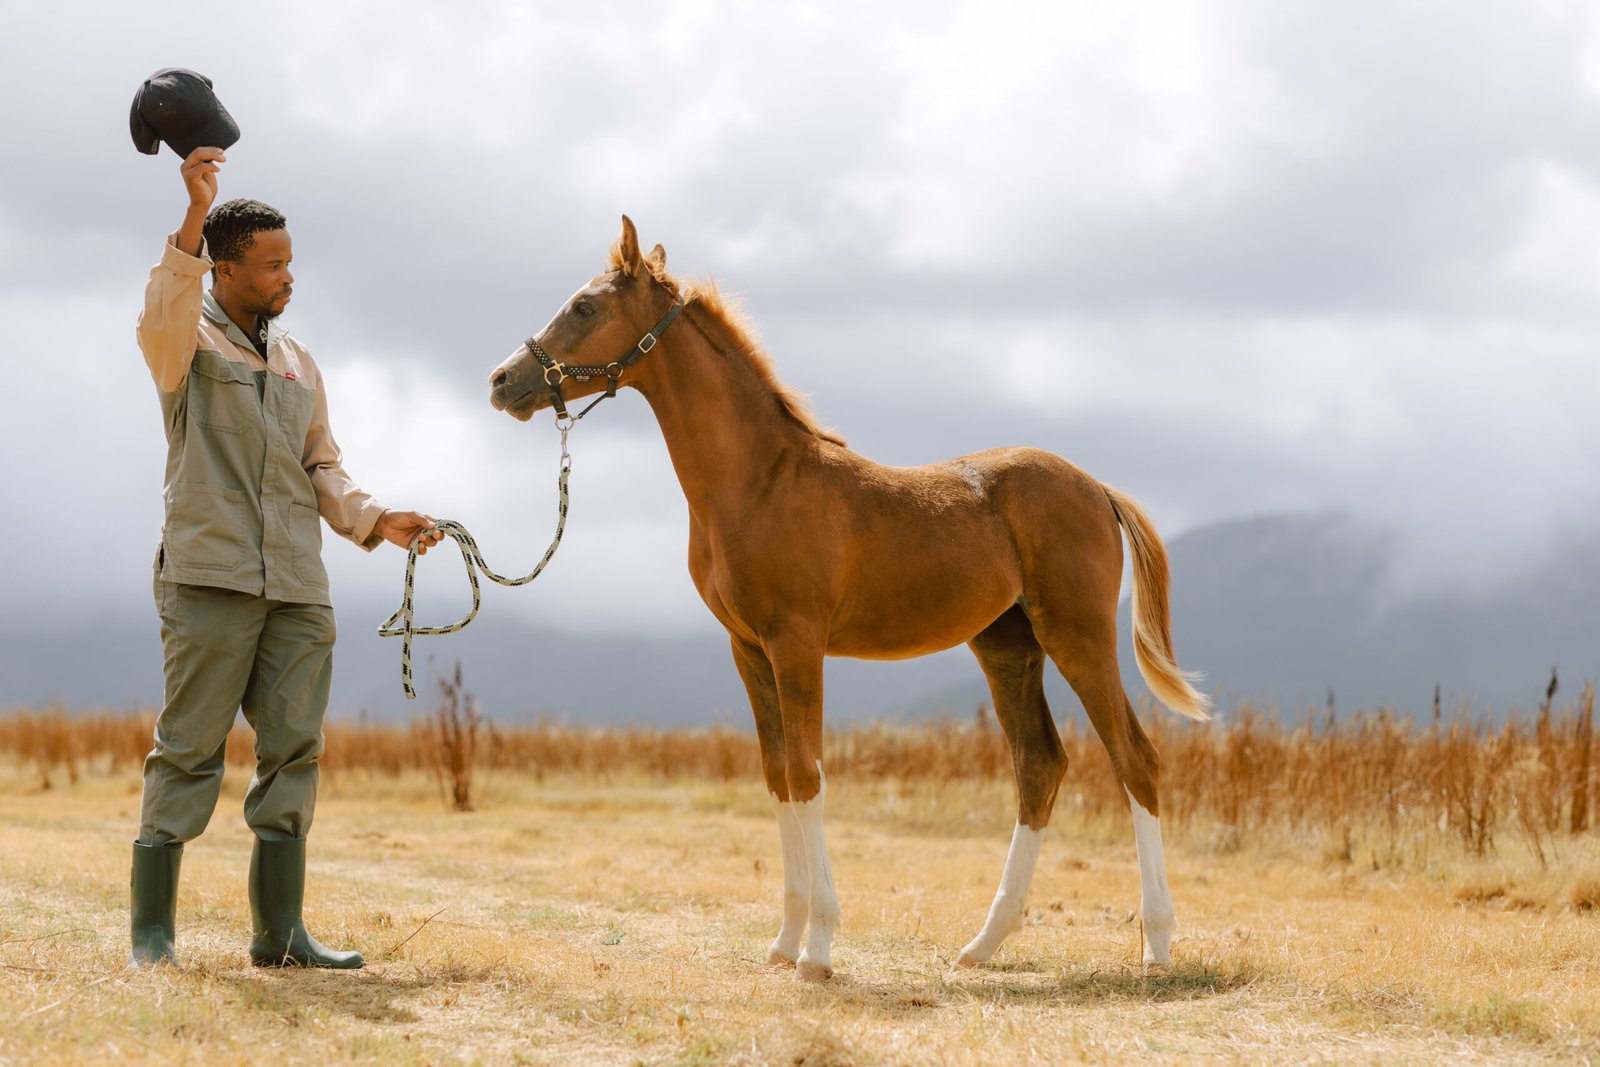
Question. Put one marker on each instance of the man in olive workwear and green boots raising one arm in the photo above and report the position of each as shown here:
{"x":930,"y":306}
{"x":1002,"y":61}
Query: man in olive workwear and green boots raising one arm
{"x":239,"y":580}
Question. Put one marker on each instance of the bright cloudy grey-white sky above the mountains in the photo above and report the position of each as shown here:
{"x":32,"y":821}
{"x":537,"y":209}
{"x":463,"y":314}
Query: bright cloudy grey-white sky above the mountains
{"x":1234,"y":258}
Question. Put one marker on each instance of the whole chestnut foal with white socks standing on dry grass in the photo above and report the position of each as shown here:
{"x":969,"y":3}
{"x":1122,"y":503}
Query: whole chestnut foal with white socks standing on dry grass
{"x":806,"y":549}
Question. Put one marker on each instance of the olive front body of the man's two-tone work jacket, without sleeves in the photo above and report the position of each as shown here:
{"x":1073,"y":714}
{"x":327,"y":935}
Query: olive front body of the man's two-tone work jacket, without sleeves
{"x":241,"y":510}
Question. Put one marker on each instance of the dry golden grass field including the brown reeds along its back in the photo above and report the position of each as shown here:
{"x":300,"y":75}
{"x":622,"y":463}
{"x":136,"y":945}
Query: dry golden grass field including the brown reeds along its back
{"x":1346,"y":893}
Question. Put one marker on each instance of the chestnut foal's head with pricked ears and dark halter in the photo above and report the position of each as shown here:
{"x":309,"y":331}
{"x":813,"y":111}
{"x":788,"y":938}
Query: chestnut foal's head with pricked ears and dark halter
{"x":598,"y":327}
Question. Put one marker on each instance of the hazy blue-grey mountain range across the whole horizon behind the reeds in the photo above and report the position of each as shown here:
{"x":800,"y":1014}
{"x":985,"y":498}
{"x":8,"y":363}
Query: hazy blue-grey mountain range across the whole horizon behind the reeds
{"x":1282,"y":610}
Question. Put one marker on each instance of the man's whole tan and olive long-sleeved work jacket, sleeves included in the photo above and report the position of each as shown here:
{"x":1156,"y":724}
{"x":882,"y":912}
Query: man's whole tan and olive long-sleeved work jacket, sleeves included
{"x":250,"y":458}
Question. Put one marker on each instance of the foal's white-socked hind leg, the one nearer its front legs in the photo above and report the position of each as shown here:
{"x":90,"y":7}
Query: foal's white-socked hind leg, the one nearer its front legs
{"x":1015,"y":666}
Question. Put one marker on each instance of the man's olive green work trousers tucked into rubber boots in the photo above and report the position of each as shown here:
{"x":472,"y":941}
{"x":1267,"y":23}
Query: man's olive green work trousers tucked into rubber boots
{"x":226,"y":652}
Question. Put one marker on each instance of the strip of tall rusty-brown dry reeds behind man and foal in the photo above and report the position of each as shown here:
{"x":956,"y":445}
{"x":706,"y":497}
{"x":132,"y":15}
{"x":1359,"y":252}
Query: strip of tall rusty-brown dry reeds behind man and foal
{"x":1372,"y":781}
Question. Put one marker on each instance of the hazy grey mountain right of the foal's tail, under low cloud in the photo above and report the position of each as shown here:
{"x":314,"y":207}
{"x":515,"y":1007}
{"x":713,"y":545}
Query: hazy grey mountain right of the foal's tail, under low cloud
{"x":1294,"y":609}
